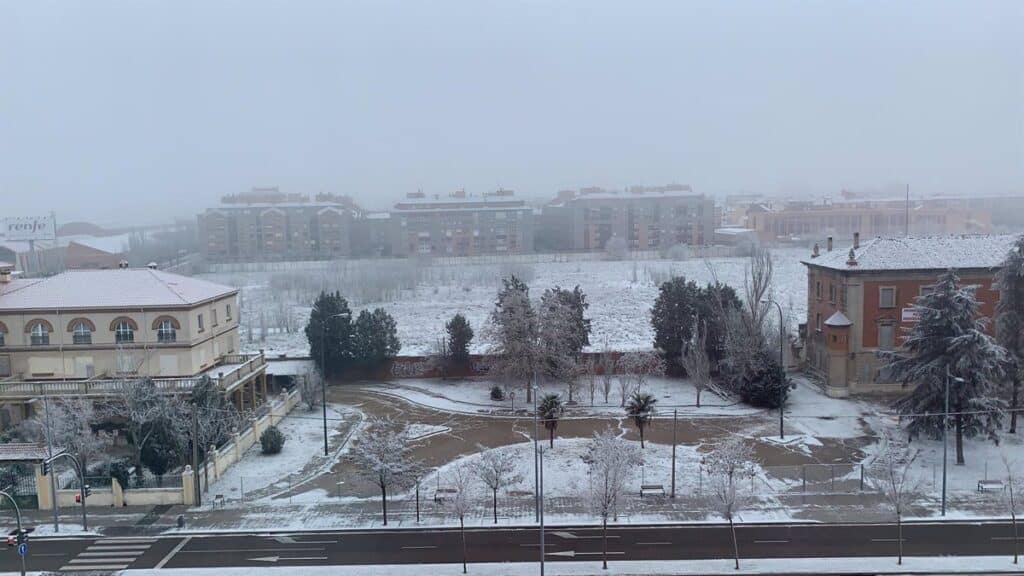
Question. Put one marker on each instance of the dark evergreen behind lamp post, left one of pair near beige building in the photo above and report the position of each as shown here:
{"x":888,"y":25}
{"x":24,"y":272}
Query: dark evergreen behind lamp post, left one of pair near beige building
{"x":330,"y":335}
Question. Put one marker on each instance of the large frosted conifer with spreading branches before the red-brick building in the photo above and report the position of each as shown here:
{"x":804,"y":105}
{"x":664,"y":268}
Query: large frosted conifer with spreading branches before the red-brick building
{"x":950,"y":340}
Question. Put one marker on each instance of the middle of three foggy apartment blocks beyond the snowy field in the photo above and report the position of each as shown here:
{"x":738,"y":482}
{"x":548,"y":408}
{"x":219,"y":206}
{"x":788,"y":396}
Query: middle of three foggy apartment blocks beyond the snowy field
{"x":461,"y":226}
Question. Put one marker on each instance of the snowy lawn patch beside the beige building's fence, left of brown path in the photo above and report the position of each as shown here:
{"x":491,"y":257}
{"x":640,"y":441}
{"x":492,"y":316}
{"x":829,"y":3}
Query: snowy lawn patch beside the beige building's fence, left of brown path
{"x":304,"y":448}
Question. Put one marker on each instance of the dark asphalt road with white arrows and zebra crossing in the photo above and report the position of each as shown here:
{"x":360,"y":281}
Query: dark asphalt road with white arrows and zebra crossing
{"x":511,"y":545}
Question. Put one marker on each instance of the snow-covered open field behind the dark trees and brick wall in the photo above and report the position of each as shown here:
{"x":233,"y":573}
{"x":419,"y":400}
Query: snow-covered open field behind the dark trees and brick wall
{"x":422,"y":299}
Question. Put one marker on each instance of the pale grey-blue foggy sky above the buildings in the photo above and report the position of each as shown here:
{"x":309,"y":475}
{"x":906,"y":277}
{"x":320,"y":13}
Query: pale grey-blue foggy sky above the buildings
{"x":143,"y":111}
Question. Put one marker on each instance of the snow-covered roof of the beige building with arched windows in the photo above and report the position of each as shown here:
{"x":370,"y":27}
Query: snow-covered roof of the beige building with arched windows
{"x":129,"y":289}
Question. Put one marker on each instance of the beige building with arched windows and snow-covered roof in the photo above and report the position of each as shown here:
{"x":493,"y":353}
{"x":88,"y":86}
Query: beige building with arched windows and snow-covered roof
{"x":82,"y":331}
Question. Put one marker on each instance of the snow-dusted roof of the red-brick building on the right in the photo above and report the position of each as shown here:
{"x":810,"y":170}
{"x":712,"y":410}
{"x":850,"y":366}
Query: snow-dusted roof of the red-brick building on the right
{"x":930,"y":253}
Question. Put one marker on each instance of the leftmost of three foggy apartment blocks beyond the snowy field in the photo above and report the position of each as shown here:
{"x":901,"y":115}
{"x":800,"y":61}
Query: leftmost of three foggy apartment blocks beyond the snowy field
{"x":266,"y":225}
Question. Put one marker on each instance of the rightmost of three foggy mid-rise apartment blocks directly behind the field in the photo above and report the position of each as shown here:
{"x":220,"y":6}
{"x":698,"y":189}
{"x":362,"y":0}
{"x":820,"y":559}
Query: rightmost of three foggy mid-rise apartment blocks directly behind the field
{"x":648,"y":218}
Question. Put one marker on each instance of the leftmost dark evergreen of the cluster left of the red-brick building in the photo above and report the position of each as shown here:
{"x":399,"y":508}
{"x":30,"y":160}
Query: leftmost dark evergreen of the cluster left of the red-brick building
{"x":673,"y":318}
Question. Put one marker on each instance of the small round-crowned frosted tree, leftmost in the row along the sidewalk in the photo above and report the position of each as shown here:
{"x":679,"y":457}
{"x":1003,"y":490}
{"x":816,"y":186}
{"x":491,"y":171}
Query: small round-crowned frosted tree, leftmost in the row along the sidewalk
{"x":385,"y":458}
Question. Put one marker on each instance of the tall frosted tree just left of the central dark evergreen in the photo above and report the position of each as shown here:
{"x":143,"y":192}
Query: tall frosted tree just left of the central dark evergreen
{"x":513,"y":332}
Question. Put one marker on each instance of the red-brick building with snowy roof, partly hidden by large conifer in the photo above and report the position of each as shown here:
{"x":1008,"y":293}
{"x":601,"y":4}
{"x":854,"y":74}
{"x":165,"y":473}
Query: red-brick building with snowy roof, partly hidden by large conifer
{"x":860,"y":301}
